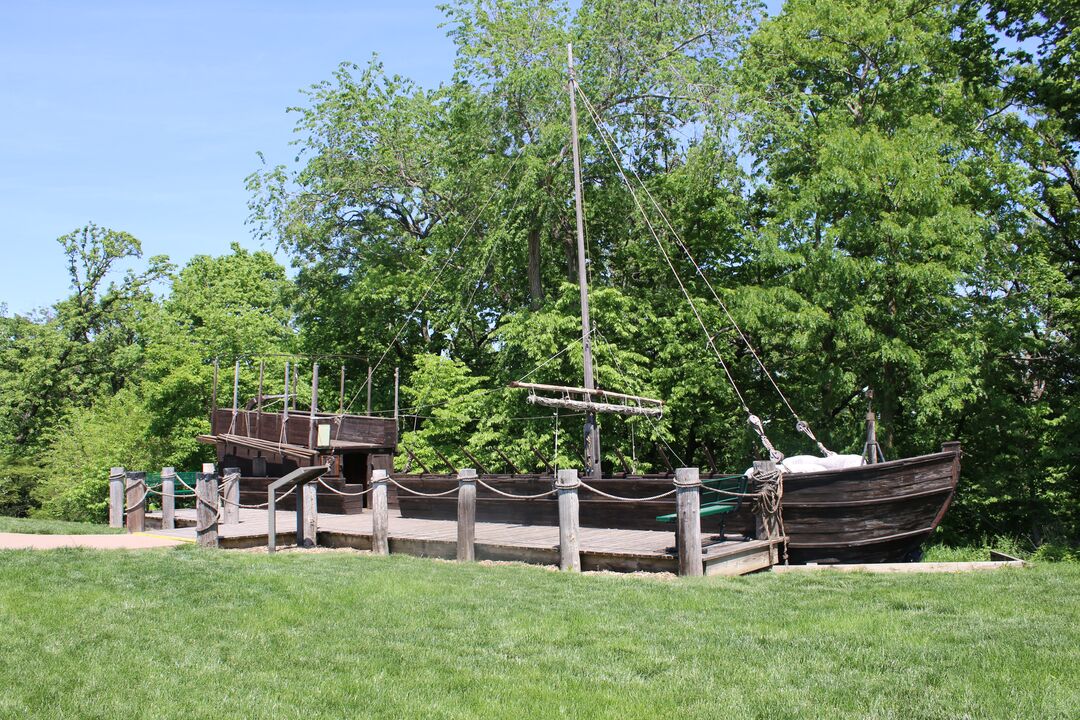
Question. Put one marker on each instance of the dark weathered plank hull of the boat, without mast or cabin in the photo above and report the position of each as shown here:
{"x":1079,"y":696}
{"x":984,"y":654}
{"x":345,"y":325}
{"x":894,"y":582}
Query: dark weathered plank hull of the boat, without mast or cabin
{"x":880,"y":513}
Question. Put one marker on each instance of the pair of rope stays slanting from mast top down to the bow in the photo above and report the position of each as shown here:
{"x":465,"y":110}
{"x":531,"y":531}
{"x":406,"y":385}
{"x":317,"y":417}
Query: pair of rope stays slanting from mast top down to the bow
{"x":801,"y":425}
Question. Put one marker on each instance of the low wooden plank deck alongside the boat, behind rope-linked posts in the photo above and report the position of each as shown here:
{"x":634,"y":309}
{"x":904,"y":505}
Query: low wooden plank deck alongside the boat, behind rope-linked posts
{"x":602,"y":549}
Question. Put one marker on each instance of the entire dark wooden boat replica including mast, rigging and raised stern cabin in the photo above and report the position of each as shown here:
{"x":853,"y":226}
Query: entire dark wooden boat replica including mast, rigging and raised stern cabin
{"x":879,"y":512}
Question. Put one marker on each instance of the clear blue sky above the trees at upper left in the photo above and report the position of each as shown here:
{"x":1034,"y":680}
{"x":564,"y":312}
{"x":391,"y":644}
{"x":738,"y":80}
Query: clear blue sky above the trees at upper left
{"x":146,"y":117}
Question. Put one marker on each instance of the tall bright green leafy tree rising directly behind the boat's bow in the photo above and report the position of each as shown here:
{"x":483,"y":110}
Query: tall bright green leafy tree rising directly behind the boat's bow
{"x":870,"y":199}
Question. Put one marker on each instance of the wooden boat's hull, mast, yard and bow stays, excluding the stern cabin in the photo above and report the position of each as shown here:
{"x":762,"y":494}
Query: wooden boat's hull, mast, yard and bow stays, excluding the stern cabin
{"x":877,"y":512}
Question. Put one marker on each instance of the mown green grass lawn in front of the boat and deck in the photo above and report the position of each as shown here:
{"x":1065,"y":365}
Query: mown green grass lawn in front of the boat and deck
{"x":190,"y":633}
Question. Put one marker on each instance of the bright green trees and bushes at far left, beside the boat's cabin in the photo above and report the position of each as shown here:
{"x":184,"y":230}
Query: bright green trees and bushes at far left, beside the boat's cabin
{"x":115,"y":377}
